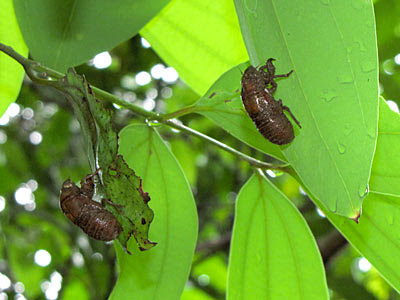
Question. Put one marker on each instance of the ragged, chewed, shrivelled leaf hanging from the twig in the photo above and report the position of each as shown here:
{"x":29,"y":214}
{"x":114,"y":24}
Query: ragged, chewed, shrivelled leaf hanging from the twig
{"x":119,"y":184}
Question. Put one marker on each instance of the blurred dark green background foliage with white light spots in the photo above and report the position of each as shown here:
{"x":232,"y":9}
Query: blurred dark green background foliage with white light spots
{"x":42,"y":255}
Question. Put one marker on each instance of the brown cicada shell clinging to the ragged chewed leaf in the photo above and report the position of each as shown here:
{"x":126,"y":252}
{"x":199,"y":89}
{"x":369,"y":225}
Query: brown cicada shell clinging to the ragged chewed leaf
{"x":89,"y":215}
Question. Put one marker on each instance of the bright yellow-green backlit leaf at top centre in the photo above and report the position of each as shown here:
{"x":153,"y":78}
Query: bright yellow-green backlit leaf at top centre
{"x":206,"y":40}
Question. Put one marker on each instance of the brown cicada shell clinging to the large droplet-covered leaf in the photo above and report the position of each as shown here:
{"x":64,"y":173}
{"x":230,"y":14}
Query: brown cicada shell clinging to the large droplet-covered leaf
{"x":266,"y":112}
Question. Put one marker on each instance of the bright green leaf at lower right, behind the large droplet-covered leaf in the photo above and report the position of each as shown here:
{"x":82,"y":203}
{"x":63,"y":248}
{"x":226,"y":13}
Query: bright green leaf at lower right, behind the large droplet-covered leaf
{"x":377,"y":236}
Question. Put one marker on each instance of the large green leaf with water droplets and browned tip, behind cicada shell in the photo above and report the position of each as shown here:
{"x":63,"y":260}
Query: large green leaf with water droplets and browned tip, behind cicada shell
{"x":333,"y":92}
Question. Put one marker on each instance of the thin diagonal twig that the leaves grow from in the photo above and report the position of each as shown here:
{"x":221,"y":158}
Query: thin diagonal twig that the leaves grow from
{"x":33,"y":69}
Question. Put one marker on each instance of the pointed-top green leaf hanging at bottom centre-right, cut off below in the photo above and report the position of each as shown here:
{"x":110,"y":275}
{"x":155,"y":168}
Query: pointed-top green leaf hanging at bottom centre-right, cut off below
{"x":273,"y":253}
